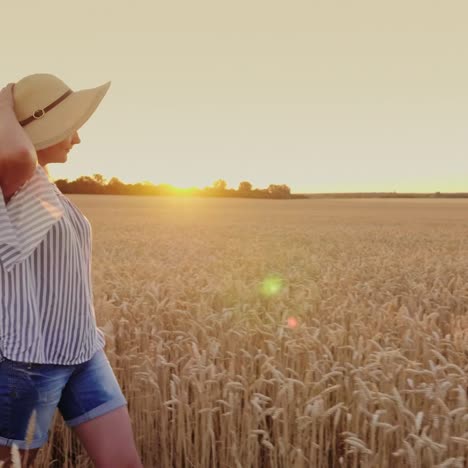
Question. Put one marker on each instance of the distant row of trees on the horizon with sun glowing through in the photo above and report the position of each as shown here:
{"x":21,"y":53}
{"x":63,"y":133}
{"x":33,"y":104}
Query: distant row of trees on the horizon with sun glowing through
{"x":97,"y":184}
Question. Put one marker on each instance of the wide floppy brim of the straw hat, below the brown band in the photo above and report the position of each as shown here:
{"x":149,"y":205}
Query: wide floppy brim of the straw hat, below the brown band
{"x":66,"y":118}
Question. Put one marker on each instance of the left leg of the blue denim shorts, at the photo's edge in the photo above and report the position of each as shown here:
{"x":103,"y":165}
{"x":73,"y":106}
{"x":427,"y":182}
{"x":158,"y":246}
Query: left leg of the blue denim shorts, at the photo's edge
{"x":26,"y":388}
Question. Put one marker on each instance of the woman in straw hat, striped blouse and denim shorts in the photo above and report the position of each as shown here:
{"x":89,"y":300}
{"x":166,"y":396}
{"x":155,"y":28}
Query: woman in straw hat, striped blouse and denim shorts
{"x":51,"y":350}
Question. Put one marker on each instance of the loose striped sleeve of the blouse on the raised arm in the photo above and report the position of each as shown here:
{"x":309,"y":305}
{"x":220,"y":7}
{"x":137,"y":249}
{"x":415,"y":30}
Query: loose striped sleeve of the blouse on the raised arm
{"x":27,"y":218}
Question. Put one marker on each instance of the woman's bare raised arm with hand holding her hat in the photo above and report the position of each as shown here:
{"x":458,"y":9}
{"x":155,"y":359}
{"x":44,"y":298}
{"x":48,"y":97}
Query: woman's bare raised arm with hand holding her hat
{"x":18,"y":158}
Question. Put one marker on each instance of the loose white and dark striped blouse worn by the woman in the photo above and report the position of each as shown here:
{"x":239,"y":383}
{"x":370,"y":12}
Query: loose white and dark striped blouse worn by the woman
{"x":46,"y":299}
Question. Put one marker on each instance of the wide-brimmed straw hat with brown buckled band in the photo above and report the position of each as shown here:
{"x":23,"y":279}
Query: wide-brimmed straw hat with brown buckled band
{"x":49,"y":111}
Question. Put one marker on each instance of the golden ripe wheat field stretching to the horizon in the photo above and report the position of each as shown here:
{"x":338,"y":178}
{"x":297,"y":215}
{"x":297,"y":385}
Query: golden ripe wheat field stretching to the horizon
{"x":275,"y":333}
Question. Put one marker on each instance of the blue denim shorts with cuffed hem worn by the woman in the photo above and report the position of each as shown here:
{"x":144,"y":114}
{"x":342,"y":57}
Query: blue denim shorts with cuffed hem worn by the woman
{"x":80,"y":391}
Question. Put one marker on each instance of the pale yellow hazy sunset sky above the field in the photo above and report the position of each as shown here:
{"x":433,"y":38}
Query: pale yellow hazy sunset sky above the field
{"x":323,"y":96}
